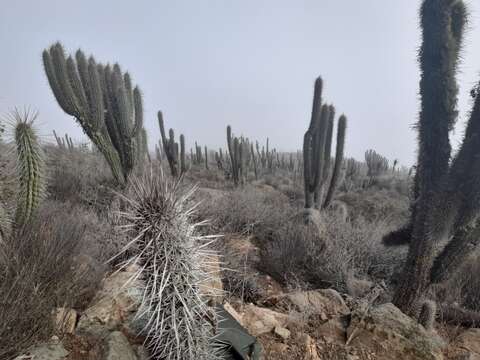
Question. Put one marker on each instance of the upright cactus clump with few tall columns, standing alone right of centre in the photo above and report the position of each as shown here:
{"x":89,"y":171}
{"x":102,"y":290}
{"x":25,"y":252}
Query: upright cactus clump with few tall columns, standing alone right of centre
{"x":317,"y":144}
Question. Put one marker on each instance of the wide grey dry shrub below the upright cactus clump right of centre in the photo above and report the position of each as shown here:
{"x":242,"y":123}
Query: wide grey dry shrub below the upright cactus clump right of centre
{"x":297,"y":254}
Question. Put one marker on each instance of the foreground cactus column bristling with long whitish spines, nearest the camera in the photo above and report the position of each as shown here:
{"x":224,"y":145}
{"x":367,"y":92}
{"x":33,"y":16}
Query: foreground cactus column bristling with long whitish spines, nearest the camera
{"x":173,"y":263}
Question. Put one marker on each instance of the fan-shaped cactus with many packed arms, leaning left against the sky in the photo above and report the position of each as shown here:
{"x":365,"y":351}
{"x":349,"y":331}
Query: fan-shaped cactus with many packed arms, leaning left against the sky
{"x":102,"y":100}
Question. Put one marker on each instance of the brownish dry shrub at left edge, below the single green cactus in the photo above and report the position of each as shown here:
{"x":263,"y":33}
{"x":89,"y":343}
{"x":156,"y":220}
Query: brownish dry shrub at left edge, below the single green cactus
{"x":42,"y":268}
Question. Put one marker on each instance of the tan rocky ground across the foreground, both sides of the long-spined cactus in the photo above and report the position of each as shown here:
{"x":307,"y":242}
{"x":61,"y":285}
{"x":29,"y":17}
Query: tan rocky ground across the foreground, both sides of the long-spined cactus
{"x":304,"y":325}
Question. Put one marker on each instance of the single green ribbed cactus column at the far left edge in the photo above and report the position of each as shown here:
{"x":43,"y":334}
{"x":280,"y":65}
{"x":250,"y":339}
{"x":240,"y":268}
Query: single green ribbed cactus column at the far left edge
{"x":30,"y":167}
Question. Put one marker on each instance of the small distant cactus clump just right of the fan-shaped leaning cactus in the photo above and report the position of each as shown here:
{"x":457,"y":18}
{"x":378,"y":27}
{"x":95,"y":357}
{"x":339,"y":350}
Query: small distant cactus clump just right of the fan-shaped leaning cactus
{"x":174,"y":152}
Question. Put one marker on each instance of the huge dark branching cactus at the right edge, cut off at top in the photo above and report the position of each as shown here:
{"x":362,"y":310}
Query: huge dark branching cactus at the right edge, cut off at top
{"x":447,"y":195}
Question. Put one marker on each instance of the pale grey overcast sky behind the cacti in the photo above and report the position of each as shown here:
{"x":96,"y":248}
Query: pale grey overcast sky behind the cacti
{"x":247,"y":63}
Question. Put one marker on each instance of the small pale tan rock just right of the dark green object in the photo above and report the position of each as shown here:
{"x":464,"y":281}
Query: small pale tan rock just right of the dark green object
{"x":261,"y":320}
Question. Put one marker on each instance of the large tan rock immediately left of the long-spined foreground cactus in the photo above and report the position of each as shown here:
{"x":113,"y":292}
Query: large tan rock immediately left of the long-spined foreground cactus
{"x":114,"y":303}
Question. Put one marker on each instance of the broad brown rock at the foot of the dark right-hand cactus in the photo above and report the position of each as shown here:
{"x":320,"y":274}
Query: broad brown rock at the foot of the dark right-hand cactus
{"x":393,"y":335}
